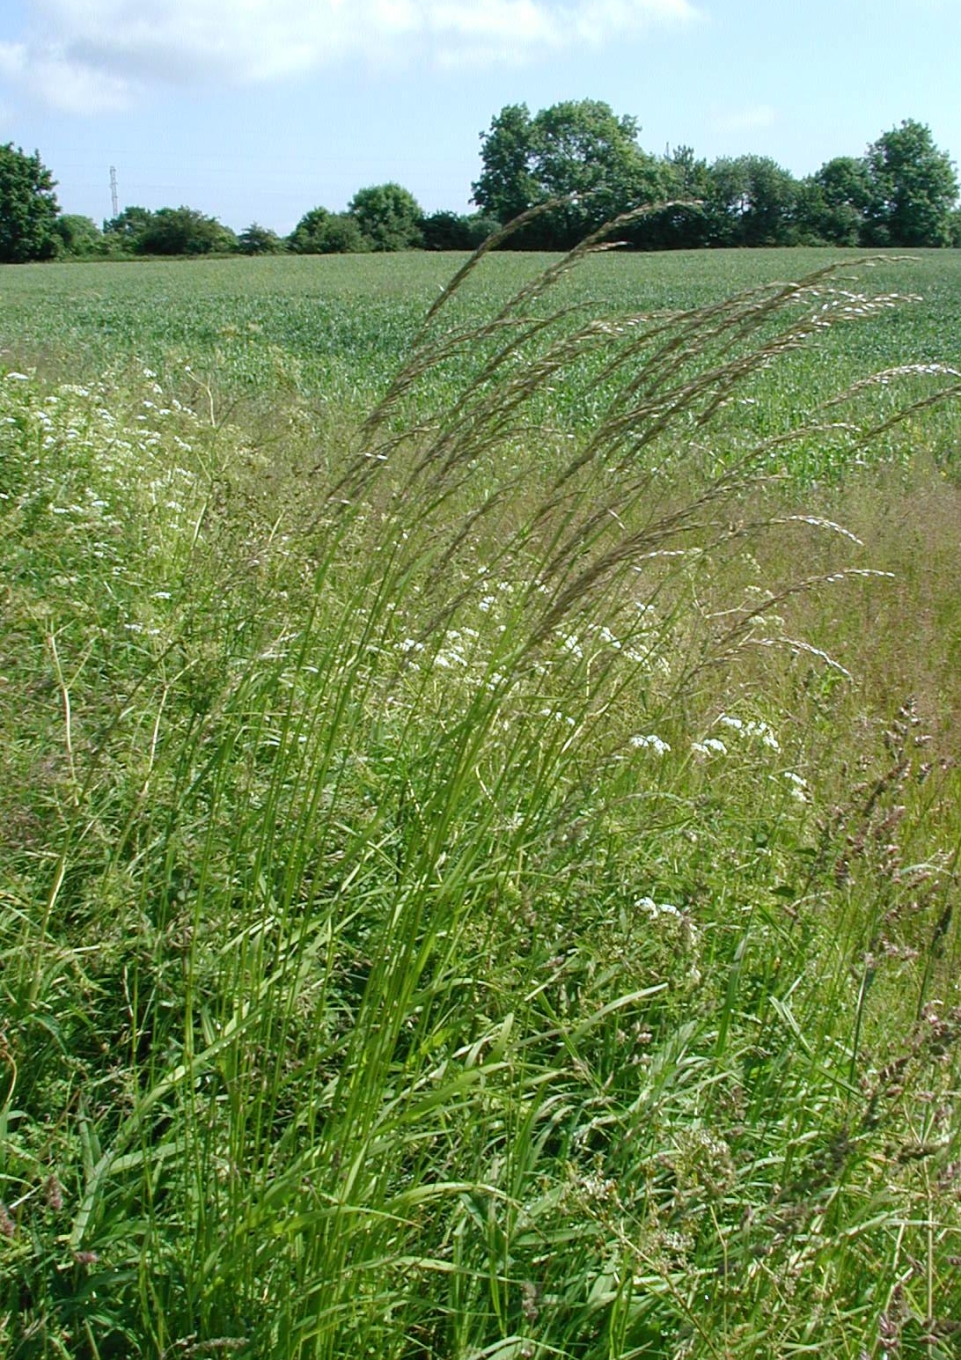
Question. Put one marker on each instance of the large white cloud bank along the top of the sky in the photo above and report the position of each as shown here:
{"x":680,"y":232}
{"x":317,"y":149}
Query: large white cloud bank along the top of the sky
{"x":103,"y":55}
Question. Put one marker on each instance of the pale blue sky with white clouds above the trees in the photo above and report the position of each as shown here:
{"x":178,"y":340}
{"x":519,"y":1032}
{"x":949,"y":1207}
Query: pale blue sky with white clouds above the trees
{"x":258,"y":111}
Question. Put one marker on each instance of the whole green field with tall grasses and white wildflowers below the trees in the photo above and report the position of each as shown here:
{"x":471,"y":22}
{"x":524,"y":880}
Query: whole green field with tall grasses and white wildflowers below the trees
{"x":480,"y":809}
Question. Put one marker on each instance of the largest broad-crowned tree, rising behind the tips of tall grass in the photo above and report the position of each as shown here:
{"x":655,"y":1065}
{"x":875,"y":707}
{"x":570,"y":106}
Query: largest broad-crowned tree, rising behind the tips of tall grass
{"x":577,"y":150}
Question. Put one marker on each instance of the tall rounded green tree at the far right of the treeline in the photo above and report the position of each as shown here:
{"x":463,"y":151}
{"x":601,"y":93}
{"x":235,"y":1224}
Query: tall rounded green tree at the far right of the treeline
{"x":914,"y":188}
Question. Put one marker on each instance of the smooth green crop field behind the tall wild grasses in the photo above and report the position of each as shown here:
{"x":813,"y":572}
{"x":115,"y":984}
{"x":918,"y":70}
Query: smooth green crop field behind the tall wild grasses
{"x":313,"y":338}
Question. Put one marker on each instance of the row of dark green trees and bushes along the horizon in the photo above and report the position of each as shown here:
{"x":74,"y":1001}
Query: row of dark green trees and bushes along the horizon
{"x":581,"y":165}
